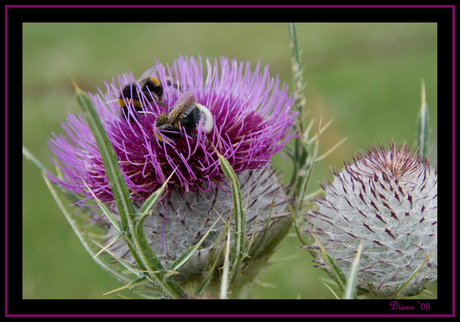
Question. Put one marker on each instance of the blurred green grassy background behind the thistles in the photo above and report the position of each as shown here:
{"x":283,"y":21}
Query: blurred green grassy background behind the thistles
{"x":365,"y":76}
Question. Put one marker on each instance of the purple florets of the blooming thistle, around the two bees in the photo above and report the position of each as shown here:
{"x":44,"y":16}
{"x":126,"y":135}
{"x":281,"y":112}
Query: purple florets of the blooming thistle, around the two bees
{"x":252,"y":121}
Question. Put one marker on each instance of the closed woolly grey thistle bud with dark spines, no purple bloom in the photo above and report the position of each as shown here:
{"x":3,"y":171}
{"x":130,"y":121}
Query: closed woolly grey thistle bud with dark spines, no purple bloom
{"x":386,"y":198}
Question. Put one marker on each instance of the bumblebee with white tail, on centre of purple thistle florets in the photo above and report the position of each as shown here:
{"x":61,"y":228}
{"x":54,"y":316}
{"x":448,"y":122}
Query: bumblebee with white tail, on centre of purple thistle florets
{"x":188,"y":113}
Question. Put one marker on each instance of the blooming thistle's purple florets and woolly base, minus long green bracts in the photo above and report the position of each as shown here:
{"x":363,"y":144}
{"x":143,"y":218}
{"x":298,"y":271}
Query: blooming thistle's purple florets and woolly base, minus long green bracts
{"x":180,"y":119}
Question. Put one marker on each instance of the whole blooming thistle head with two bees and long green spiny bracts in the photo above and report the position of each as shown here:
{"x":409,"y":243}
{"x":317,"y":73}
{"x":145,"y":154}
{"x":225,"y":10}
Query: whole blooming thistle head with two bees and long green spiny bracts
{"x":177,"y":161}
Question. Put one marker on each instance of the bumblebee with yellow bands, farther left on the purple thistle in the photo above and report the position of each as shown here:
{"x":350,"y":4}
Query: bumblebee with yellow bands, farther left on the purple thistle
{"x":149,"y":85}
